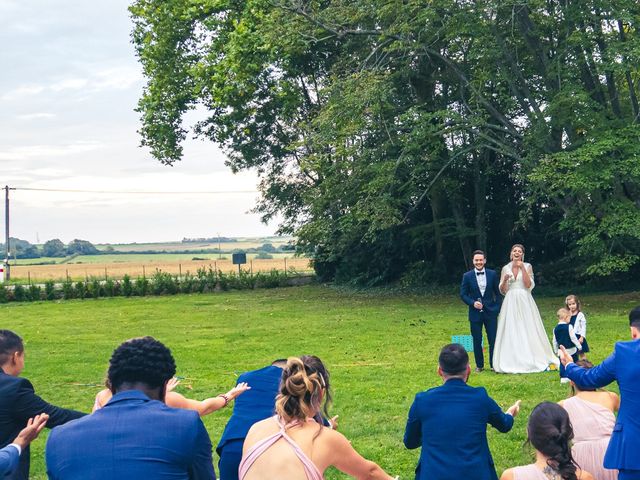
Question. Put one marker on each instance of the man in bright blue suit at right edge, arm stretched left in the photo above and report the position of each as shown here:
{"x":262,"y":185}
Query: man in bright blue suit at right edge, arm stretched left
{"x":623,"y":366}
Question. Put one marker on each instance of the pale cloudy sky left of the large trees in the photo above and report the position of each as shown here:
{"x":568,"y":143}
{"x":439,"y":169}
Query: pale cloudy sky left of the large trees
{"x":68,"y":87}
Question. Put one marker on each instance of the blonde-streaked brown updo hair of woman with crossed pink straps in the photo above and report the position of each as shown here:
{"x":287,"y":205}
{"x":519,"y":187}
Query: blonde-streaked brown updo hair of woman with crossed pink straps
{"x":304,"y":386}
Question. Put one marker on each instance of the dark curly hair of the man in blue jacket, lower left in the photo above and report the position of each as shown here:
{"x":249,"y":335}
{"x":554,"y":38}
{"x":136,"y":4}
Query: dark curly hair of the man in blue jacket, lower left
{"x":143,"y":360}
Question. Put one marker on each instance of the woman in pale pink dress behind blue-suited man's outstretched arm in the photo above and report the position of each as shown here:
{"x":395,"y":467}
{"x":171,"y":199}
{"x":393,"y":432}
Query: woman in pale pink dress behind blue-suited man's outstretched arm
{"x":592,"y":414}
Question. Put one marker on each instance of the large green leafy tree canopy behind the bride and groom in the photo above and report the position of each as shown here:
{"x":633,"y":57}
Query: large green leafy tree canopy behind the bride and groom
{"x":393,"y":138}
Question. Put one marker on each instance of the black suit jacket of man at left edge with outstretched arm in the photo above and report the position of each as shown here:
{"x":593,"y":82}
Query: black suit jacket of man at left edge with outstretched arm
{"x":18,"y":403}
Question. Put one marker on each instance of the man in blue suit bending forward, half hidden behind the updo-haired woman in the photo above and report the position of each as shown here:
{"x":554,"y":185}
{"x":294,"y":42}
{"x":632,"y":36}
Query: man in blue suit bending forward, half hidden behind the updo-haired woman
{"x":251,"y":407}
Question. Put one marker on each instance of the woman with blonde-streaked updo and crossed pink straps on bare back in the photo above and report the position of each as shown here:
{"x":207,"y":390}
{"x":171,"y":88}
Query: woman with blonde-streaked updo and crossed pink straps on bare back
{"x":293,"y":444}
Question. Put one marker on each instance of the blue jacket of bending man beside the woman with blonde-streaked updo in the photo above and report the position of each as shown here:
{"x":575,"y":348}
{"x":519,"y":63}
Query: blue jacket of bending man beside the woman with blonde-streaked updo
{"x":253,"y":405}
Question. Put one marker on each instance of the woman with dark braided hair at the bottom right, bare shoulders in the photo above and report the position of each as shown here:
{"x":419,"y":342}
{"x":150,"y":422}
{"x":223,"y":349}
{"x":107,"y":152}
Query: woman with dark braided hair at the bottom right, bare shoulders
{"x":550,"y":433}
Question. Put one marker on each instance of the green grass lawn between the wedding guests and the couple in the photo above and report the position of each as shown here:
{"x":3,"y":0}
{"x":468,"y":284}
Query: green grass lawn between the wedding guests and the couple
{"x":380,"y":350}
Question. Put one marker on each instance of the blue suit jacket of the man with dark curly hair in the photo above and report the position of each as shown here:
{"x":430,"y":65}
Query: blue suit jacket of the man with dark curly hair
{"x":131,"y":438}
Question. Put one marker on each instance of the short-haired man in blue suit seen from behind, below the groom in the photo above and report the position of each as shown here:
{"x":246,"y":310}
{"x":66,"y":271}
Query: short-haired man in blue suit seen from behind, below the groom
{"x":450,"y":423}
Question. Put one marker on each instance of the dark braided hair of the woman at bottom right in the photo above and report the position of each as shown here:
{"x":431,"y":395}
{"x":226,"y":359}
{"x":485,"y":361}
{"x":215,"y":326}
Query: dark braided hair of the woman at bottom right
{"x":550,"y":432}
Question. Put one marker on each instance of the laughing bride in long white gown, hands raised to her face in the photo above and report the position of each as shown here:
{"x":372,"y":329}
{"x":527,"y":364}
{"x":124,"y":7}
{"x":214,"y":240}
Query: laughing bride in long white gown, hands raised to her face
{"x":522,"y":345}
